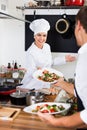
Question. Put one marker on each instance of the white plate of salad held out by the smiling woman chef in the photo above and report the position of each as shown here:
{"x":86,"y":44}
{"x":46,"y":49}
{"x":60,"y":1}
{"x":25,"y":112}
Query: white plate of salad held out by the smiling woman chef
{"x":47,"y":75}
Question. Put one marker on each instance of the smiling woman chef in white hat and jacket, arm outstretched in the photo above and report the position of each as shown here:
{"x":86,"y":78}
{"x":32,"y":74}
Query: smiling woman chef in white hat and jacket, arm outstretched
{"x":39,"y":55}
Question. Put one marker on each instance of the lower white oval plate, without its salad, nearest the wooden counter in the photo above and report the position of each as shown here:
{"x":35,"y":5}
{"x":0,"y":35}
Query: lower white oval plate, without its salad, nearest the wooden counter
{"x":29,"y":109}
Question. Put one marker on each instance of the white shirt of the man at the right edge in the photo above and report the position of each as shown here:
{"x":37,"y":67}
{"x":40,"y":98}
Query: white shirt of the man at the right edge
{"x":81,"y":79}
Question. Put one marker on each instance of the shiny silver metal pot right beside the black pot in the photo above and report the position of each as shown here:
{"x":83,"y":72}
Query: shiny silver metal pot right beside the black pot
{"x":34,"y":97}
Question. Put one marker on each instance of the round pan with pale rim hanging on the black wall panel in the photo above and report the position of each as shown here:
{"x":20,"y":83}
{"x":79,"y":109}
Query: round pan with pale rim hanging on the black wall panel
{"x":62,"y":25}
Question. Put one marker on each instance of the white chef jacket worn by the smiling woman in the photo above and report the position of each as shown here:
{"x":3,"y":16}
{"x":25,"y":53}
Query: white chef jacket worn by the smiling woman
{"x":38,"y":58}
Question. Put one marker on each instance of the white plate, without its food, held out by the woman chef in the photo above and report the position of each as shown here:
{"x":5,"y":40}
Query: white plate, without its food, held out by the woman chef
{"x":39,"y":73}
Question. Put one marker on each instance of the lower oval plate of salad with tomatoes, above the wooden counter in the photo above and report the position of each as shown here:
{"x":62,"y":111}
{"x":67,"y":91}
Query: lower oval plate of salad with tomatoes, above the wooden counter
{"x":48,"y":107}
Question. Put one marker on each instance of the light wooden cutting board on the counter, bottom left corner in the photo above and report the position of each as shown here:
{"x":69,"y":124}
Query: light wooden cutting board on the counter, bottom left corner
{"x":8,"y":113}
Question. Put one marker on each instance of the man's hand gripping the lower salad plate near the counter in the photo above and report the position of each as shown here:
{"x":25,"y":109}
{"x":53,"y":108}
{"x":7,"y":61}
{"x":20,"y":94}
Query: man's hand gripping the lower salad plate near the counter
{"x":47,"y":118}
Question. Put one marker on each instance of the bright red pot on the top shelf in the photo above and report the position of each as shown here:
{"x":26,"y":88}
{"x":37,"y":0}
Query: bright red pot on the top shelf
{"x":74,"y":2}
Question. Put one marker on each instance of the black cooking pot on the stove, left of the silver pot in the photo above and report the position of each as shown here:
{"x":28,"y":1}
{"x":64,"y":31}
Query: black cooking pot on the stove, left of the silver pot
{"x":18,"y":98}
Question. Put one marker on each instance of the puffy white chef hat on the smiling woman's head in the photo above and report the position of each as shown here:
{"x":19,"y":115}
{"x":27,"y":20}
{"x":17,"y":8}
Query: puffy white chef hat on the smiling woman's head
{"x":39,"y":25}
